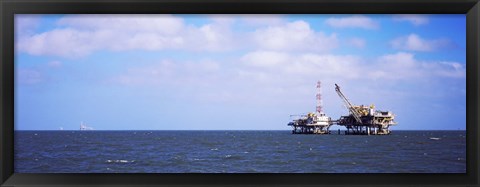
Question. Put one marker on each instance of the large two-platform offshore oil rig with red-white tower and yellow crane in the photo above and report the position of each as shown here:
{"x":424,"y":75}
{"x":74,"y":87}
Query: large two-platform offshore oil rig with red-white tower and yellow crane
{"x":362,"y":120}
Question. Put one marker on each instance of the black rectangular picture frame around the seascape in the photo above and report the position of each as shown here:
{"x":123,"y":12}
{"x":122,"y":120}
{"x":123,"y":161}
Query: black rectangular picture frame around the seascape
{"x":8,"y":8}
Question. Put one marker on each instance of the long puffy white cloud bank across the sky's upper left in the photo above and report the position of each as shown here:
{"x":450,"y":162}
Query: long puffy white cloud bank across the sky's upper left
{"x":81,"y":35}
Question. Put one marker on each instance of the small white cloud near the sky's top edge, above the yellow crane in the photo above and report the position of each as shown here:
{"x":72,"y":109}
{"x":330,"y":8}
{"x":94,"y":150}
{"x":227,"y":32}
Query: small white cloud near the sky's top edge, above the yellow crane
{"x":357,"y":21}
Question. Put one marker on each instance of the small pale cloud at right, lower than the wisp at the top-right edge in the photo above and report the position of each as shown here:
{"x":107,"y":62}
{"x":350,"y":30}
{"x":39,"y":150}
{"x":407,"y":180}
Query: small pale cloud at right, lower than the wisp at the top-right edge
{"x":414,"y":42}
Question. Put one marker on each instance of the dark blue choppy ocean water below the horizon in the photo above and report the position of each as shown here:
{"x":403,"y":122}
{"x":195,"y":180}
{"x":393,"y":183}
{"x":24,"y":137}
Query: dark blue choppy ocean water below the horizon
{"x":238,"y":152}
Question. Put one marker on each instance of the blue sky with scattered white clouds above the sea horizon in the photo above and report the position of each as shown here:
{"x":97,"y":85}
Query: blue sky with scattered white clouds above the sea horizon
{"x":235,"y":72}
